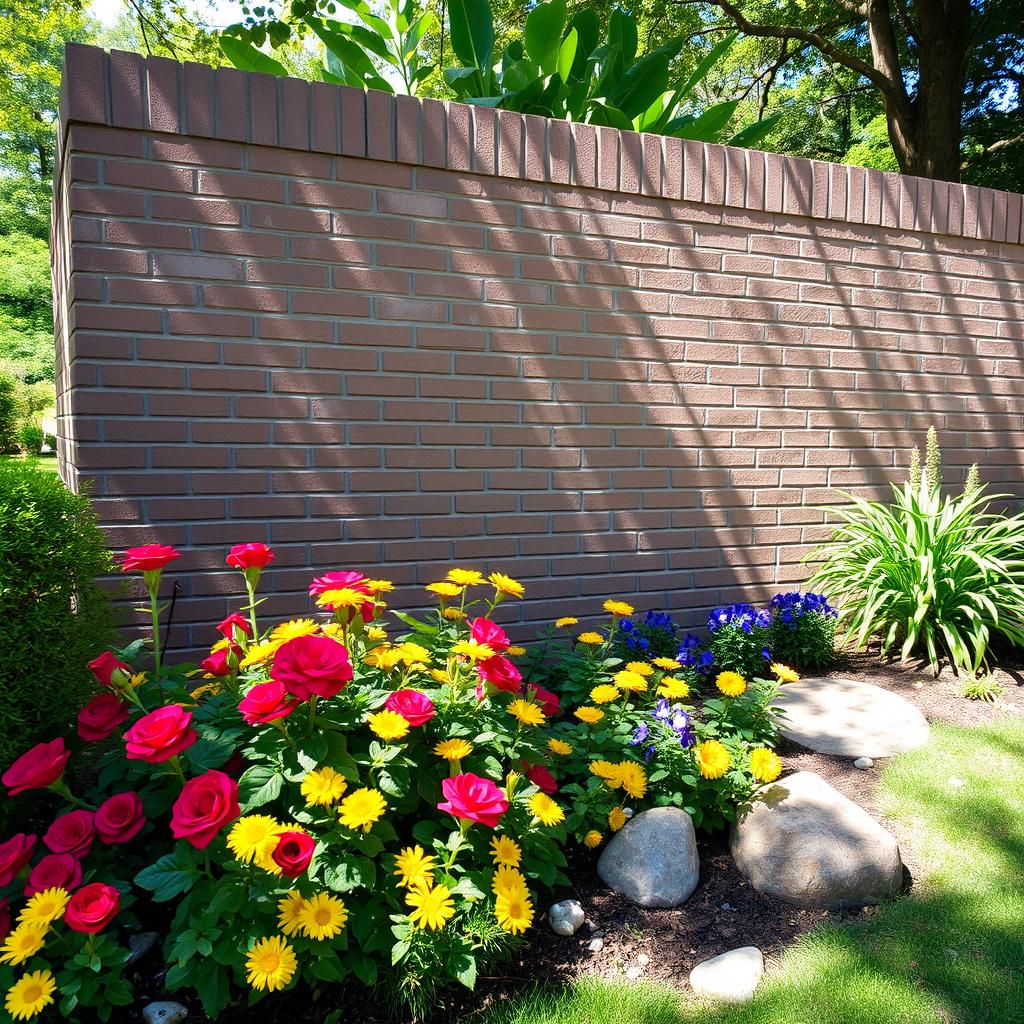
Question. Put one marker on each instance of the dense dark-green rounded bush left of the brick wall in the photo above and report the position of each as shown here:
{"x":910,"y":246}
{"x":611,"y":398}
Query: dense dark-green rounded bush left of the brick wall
{"x":54,"y":619}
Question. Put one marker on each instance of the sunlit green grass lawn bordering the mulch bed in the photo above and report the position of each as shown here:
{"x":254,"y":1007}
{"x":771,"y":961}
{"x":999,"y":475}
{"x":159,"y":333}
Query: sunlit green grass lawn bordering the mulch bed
{"x":951,"y":952}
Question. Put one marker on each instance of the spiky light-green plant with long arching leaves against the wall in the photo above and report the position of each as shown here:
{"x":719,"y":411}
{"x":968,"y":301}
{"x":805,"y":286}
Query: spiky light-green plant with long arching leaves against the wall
{"x":937,"y":576}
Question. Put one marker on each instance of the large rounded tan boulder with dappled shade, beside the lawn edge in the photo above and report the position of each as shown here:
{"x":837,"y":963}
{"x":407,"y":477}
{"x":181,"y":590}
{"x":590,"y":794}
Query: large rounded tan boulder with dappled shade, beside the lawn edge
{"x":806,"y":843}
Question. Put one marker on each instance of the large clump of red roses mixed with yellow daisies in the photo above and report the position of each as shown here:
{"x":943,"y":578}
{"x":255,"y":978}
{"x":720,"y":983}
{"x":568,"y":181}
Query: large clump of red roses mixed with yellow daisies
{"x":320,"y":800}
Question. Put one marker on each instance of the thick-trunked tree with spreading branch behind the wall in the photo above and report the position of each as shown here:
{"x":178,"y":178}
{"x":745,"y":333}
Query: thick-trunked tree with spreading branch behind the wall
{"x":937,"y":66}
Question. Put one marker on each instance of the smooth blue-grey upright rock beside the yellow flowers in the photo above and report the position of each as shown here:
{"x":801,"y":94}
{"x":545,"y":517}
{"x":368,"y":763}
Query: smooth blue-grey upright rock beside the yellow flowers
{"x":653,"y":860}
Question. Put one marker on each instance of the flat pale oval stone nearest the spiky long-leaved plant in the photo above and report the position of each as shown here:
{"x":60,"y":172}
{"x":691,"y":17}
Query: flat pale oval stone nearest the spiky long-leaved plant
{"x":849,"y":718}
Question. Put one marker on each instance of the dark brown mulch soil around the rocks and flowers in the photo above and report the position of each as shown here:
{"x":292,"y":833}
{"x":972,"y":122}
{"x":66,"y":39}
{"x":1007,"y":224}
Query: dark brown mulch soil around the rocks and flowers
{"x":724,"y":912}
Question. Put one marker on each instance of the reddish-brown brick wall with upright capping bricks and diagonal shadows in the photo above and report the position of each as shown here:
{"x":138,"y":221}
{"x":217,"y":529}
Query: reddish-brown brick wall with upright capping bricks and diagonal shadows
{"x":397,"y":335}
